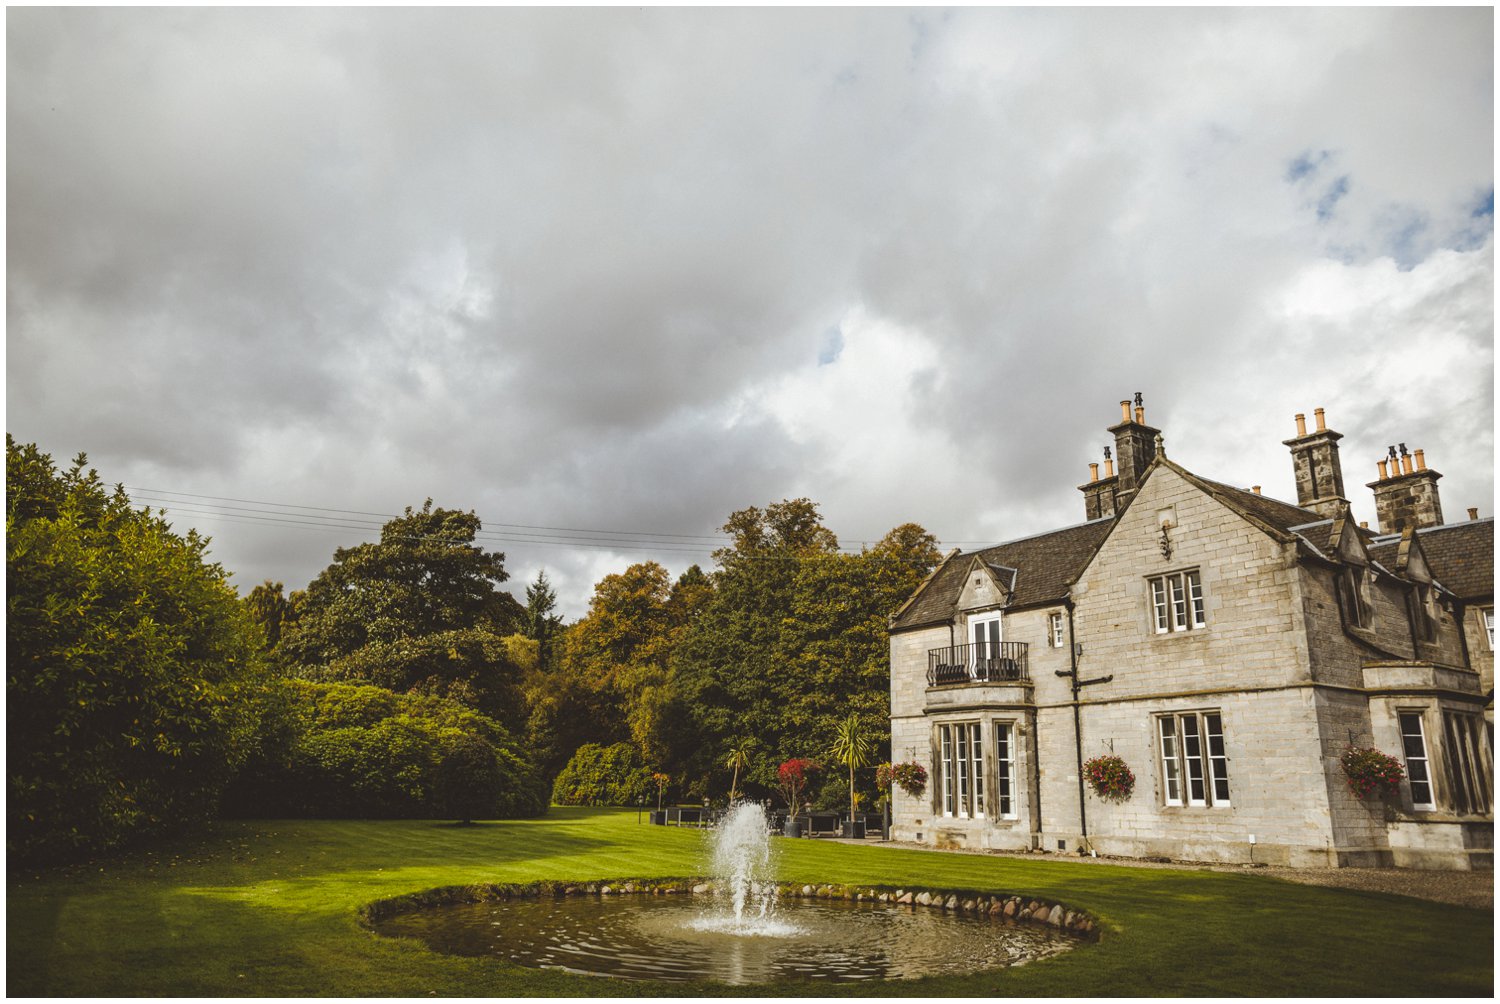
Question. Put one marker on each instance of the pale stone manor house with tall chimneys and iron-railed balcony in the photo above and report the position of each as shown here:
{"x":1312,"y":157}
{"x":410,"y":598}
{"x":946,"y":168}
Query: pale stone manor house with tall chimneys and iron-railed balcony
{"x":1229,"y":648}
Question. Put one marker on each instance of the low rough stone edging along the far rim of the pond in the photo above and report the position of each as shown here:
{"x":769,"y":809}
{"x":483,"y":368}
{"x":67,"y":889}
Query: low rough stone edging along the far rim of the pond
{"x":956,"y":901}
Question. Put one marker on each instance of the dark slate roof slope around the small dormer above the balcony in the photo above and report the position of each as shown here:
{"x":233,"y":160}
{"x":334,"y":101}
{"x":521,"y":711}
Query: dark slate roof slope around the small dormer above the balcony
{"x":1045,"y":565}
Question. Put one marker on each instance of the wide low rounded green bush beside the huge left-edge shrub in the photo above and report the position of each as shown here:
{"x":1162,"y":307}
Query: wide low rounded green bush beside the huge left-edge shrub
{"x":346,"y":751}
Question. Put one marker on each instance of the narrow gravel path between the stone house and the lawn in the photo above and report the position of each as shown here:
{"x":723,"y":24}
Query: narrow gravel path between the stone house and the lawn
{"x":1462,"y":889}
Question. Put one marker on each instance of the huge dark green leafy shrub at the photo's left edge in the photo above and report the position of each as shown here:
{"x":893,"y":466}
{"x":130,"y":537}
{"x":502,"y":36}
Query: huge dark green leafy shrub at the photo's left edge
{"x":131,"y":666}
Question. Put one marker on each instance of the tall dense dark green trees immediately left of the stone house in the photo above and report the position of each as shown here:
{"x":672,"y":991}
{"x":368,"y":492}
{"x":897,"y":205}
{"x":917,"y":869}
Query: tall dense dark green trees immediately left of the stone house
{"x":791,"y":642}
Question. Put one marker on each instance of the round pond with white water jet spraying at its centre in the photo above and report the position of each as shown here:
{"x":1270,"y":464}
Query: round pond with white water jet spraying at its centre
{"x":752,"y":931}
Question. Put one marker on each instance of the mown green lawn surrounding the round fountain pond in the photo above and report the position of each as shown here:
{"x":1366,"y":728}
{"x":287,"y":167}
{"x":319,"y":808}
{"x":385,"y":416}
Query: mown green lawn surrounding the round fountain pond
{"x":271,"y":909}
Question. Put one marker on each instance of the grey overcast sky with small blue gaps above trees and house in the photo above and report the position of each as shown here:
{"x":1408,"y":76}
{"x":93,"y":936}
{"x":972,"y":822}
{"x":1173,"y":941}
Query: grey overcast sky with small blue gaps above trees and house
{"x":622,"y":271}
